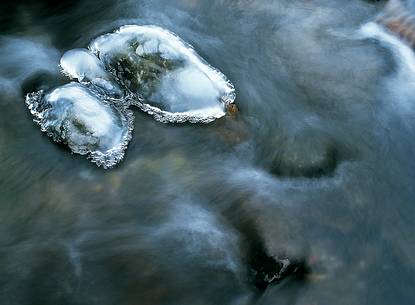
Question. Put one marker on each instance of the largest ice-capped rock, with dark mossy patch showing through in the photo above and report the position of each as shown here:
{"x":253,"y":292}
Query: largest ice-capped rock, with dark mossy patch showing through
{"x":167,"y":77}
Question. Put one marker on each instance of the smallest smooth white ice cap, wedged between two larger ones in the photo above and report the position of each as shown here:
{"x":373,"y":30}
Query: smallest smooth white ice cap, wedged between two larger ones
{"x":82,"y":65}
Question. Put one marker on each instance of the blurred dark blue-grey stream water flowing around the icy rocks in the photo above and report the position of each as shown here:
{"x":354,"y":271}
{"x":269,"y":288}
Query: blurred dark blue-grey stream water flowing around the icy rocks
{"x":317,"y":166}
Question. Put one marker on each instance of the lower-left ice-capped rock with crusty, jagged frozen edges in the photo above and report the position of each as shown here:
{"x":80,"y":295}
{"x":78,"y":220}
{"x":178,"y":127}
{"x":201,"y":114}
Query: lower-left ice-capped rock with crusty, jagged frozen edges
{"x":87,"y":123}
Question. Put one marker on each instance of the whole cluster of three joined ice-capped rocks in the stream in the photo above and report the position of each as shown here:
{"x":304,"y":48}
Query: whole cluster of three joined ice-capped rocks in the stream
{"x":144,"y":66}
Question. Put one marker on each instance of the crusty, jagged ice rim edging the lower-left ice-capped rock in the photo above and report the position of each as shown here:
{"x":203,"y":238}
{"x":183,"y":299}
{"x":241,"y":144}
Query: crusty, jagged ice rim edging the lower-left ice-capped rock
{"x":107,"y":159}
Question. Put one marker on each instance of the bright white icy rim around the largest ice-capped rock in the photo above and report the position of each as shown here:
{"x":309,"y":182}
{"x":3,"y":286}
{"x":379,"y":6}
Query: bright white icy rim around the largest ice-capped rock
{"x":187,"y":50}
